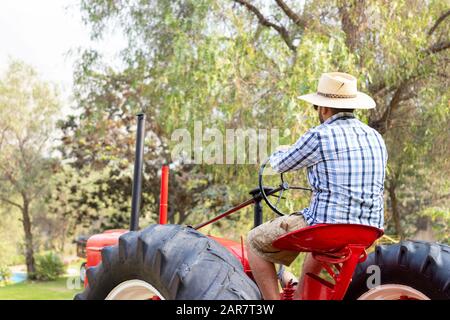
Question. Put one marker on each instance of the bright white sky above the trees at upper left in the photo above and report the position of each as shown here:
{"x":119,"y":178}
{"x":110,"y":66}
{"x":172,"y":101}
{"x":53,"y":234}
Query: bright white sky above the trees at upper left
{"x":43,"y":32}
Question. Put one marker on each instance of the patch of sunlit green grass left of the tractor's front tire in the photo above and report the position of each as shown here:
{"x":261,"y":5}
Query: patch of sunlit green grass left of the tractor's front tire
{"x":37,"y":290}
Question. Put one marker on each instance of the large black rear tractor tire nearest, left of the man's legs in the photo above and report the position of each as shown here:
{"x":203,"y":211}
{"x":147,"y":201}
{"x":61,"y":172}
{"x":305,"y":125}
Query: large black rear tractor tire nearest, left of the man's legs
{"x":179,"y":262}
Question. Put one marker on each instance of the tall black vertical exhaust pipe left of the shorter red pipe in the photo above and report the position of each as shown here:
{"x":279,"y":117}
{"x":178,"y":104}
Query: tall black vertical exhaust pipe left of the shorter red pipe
{"x":137,"y":178}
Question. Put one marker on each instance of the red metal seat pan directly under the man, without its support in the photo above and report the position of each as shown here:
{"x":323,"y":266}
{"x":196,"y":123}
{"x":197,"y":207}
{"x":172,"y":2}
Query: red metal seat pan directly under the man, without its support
{"x":328,"y":238}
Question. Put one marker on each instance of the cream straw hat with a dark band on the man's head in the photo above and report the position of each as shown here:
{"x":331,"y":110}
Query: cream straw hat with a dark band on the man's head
{"x":339,"y":90}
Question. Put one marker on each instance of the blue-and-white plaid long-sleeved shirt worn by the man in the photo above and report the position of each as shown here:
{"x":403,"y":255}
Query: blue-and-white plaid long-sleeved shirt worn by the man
{"x":346,"y":162}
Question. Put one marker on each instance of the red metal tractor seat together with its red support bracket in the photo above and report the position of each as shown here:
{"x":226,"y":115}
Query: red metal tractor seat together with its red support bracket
{"x":338,"y":248}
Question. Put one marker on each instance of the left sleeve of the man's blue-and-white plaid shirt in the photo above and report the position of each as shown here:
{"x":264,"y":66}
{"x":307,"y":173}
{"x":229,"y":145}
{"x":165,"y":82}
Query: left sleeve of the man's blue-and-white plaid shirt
{"x":303,"y":153}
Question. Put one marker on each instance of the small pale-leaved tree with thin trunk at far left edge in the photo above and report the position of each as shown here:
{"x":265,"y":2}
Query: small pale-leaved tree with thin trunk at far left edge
{"x":28,"y":106}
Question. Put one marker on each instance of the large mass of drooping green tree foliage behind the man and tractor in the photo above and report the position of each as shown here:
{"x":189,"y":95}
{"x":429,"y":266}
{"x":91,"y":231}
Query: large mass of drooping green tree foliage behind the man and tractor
{"x":241,"y":64}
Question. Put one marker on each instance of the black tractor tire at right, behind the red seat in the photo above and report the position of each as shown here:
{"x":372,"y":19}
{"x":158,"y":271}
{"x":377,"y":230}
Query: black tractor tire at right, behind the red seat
{"x":407,"y":270}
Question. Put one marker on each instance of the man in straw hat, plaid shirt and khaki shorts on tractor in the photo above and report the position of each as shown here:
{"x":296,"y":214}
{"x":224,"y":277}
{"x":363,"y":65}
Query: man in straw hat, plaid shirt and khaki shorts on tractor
{"x":345,"y":161}
